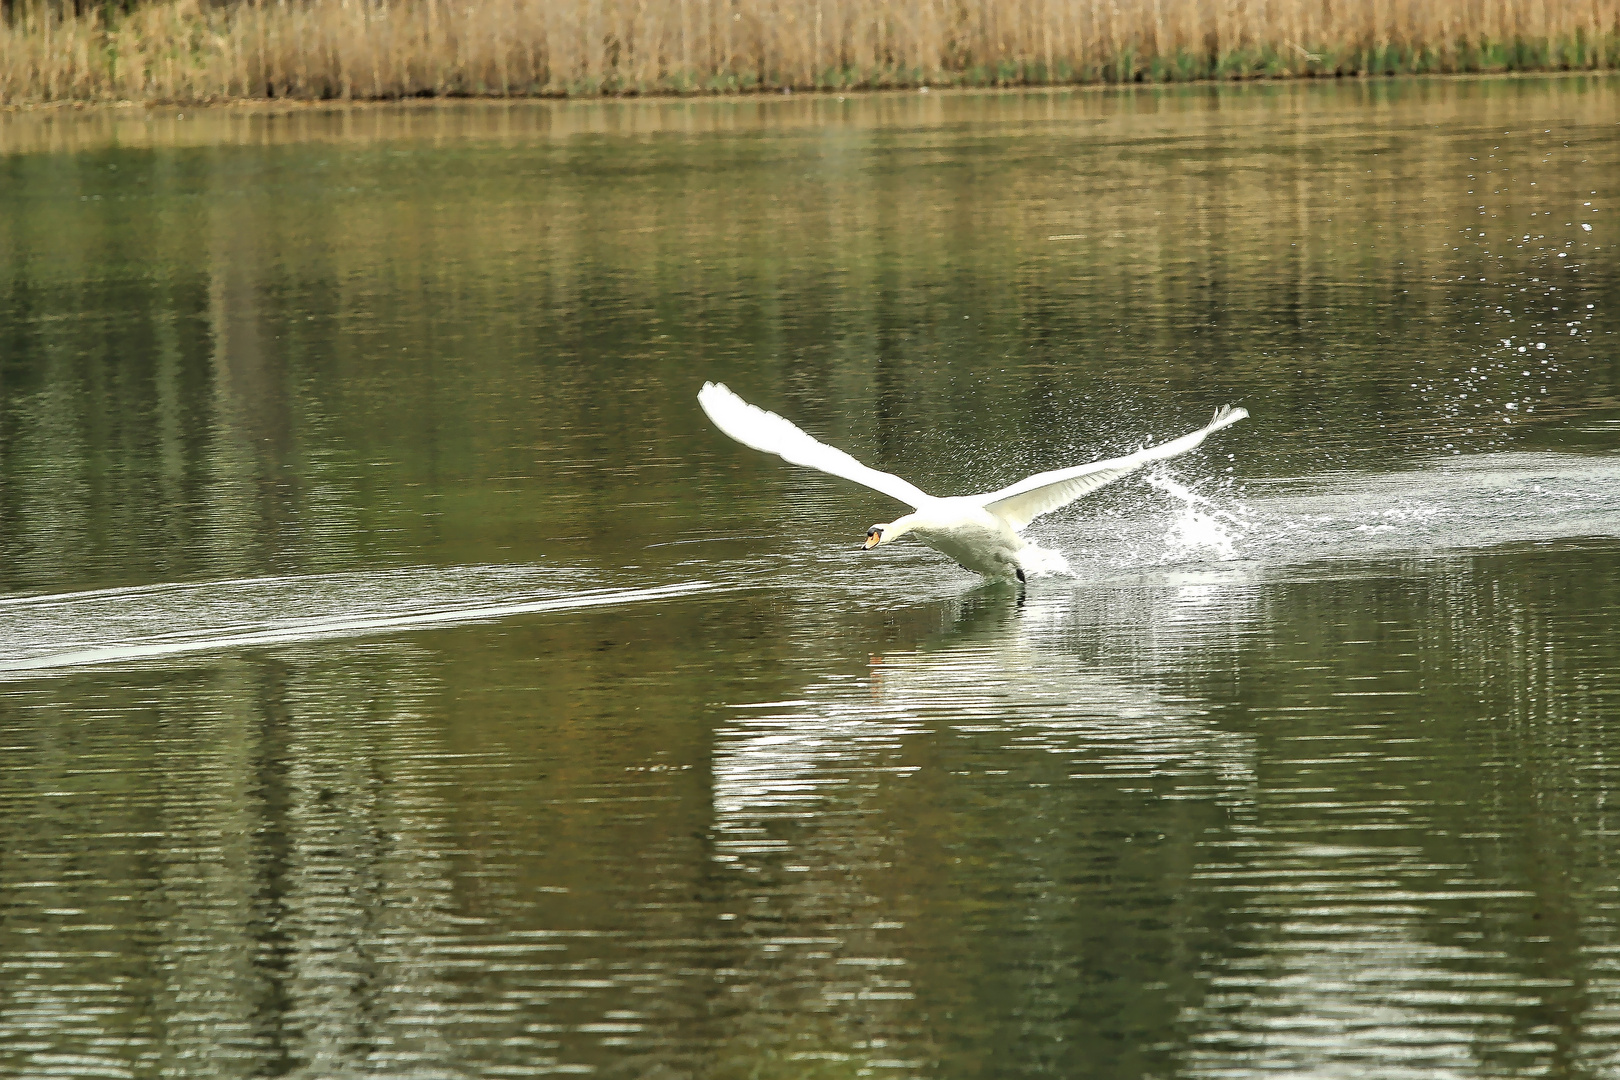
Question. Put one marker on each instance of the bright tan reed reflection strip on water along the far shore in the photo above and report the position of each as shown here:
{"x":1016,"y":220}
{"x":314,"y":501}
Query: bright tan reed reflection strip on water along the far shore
{"x":74,"y":127}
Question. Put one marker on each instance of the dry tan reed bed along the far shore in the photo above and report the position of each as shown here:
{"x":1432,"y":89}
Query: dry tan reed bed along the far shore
{"x":370,"y":49}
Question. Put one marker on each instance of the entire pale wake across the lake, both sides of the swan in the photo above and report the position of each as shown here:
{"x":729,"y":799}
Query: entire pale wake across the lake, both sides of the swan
{"x":1444,"y":509}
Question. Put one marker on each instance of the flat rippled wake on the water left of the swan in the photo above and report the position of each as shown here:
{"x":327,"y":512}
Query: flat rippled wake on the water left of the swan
{"x":95,"y":627}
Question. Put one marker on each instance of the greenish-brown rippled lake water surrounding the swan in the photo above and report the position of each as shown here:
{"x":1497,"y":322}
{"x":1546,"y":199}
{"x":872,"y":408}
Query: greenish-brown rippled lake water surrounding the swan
{"x":401,"y":678}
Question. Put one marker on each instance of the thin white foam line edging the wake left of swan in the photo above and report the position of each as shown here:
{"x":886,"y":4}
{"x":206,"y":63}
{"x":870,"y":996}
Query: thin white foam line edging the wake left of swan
{"x":343,"y":627}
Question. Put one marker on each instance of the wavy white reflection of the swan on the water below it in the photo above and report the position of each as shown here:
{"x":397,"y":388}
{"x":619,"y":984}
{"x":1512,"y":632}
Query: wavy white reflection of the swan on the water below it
{"x":999,"y":676}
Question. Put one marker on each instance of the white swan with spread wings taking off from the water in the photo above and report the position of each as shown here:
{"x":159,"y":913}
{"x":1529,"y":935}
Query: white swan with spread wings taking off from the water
{"x":978,"y":532}
